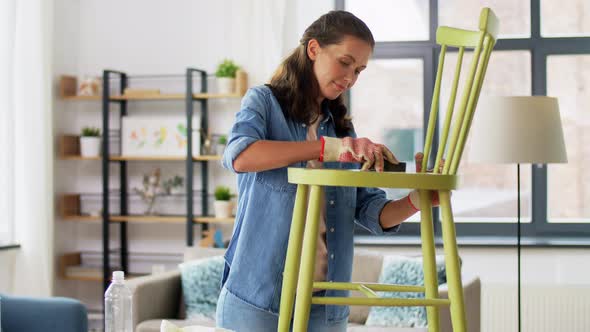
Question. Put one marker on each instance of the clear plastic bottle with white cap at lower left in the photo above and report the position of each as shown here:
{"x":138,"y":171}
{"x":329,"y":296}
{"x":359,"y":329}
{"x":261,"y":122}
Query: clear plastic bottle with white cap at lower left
{"x":117,"y":305}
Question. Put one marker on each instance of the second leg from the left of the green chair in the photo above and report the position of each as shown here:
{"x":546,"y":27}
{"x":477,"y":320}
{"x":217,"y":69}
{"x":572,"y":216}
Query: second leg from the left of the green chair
{"x":305,"y":281}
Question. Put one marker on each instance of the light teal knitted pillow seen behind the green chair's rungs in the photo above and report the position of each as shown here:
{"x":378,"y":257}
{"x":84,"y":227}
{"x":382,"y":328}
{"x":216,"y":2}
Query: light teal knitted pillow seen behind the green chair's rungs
{"x":403,"y":271}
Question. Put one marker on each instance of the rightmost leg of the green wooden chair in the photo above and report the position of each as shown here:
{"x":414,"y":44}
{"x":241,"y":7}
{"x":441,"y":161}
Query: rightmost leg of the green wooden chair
{"x":452,"y":264}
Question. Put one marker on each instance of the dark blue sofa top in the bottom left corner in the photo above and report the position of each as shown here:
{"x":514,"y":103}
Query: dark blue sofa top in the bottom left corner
{"x":55,"y":314}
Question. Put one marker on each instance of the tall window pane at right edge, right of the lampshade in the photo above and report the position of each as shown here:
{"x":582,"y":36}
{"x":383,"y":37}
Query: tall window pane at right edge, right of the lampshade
{"x":568,"y":78}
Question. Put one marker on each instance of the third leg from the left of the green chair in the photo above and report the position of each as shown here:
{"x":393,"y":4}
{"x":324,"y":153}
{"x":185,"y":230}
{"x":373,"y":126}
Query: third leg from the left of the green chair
{"x":429,"y":259}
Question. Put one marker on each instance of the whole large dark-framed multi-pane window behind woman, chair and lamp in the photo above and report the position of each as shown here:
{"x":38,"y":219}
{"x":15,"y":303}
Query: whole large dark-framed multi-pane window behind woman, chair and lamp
{"x":541,"y":50}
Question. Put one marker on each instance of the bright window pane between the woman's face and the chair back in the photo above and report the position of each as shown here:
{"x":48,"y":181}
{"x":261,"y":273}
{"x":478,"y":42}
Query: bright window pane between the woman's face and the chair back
{"x":387,"y":105}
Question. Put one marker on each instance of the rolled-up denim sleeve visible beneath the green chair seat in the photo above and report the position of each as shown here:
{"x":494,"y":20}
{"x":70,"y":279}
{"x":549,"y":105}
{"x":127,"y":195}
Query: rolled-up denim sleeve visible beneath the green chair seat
{"x":370,"y":202}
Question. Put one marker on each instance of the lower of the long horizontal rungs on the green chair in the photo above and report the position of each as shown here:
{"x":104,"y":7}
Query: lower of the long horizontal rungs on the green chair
{"x":381,"y":302}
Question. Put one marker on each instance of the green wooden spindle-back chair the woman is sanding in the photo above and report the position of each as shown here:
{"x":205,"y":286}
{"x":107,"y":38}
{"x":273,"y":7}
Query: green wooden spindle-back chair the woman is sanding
{"x":299,"y":266}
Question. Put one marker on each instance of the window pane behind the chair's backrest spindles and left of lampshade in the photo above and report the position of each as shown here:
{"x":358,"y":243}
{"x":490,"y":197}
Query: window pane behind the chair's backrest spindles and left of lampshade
{"x":488,"y":193}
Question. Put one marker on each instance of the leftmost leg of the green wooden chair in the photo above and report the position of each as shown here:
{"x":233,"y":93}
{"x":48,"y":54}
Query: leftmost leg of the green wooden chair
{"x":291,"y":270}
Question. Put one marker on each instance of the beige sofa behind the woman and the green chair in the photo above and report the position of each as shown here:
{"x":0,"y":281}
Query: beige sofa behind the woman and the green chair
{"x":158,"y":297}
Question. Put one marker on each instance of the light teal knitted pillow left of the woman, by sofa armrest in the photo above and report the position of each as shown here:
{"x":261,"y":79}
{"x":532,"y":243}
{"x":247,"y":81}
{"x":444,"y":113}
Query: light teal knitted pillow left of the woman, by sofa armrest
{"x":201,"y":286}
